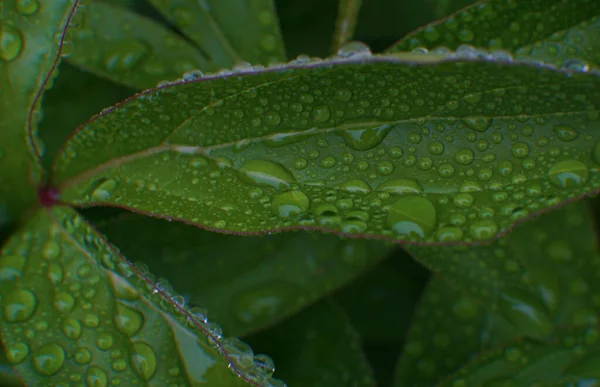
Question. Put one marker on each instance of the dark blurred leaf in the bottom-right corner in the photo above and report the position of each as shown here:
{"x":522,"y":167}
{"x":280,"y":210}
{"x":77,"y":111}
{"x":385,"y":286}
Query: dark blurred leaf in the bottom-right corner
{"x":571,"y":358}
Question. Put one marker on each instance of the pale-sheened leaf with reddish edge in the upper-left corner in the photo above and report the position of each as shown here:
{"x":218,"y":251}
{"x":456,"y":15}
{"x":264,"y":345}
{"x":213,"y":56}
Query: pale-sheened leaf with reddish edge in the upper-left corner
{"x":28,"y":52}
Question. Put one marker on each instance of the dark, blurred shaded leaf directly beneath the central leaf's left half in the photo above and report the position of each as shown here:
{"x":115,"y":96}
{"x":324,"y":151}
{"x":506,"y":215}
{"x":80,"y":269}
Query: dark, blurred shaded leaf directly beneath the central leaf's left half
{"x":245,"y":283}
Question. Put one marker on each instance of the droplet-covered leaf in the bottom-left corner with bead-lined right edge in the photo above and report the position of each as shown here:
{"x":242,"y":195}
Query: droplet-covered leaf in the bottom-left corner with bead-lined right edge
{"x":73,"y":311}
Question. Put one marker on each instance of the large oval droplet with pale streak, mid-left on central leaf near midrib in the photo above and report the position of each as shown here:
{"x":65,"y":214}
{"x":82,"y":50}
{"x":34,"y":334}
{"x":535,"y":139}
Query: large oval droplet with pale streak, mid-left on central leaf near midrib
{"x":266,"y":173}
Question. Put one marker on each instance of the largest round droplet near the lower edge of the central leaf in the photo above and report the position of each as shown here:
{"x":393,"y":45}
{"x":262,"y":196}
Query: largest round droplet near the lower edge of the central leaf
{"x":412,"y":216}
